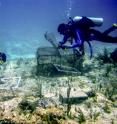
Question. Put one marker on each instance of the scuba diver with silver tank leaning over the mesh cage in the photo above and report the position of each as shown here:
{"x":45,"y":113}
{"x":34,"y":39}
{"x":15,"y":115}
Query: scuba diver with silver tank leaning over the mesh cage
{"x":80,"y":29}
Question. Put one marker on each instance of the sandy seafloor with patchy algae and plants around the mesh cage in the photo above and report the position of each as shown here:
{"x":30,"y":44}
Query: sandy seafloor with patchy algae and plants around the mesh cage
{"x":20,"y":83}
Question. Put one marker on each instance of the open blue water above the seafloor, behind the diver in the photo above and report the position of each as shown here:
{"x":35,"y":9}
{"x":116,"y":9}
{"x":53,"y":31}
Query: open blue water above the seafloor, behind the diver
{"x":24,"y":22}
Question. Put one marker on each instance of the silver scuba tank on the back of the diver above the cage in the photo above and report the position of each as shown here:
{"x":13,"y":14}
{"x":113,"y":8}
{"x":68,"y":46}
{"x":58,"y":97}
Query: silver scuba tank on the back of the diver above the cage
{"x":97,"y":21}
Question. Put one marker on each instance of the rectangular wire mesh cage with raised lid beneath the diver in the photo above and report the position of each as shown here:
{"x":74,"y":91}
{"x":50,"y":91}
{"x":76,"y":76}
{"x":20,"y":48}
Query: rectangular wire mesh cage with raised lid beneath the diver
{"x":57,"y":58}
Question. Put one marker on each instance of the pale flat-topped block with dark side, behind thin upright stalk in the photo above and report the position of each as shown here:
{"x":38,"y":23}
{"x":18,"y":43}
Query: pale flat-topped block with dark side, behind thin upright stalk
{"x":76,"y":96}
